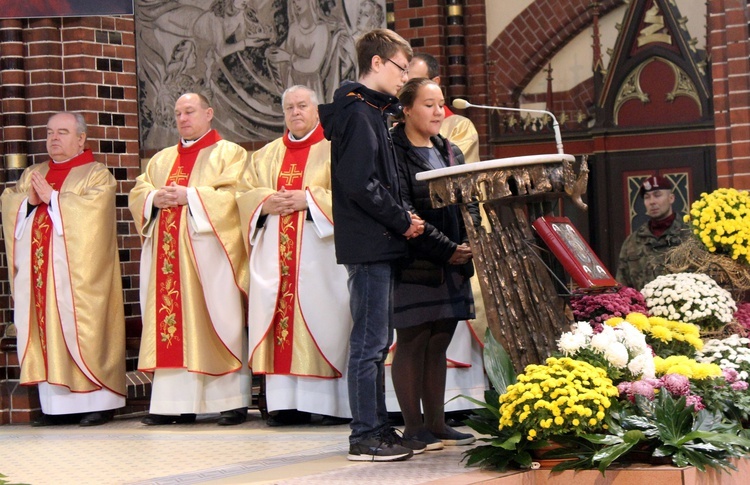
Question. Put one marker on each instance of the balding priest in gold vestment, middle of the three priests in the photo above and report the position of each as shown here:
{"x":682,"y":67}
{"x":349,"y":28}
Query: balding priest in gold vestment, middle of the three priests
{"x":193,"y":274}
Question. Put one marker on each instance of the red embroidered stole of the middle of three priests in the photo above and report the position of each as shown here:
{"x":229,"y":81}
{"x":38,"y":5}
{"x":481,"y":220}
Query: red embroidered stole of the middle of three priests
{"x":169,"y":323}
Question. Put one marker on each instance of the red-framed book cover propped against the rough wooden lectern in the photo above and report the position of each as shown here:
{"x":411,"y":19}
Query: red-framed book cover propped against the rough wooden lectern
{"x":566,"y":243}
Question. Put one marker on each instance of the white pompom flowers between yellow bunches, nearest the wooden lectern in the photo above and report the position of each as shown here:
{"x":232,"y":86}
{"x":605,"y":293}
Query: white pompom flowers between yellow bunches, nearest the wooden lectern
{"x":621,"y":349}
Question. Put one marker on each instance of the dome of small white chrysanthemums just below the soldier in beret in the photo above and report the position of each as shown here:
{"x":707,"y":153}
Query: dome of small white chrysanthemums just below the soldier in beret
{"x":690,"y":297}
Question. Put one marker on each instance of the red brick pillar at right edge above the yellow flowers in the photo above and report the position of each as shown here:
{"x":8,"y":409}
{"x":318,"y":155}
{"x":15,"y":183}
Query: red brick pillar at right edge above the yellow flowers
{"x":729,"y":50}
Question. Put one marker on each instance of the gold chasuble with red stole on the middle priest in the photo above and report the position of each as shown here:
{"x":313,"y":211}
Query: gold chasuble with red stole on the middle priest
{"x":180,"y":295}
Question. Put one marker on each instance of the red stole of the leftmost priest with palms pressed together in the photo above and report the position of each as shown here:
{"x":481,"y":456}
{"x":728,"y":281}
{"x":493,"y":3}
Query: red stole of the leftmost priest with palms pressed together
{"x":41,"y":231}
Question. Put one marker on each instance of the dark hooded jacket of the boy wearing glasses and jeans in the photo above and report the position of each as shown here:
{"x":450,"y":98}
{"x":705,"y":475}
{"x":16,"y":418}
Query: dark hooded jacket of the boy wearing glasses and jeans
{"x":368,"y":213}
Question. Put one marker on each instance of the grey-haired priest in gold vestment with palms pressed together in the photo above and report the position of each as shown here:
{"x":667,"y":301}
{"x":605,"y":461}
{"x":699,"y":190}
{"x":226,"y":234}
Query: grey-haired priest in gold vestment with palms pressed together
{"x":61,"y":240}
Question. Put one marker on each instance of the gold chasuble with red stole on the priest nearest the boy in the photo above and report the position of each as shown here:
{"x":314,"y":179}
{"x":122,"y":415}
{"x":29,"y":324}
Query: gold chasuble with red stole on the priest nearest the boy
{"x":298,"y":304}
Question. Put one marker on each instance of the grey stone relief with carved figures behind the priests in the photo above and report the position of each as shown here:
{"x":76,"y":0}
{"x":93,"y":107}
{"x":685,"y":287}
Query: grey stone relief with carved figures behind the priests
{"x":242,"y":54}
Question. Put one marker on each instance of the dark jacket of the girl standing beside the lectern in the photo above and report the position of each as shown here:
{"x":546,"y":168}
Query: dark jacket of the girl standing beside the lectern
{"x":444,"y":227}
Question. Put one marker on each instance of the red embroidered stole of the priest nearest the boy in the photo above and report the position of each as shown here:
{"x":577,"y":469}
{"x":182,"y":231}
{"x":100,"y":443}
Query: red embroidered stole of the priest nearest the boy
{"x":290,"y":178}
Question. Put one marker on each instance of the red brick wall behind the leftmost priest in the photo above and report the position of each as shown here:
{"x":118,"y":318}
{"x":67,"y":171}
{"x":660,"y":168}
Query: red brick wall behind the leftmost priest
{"x":74,"y":64}
